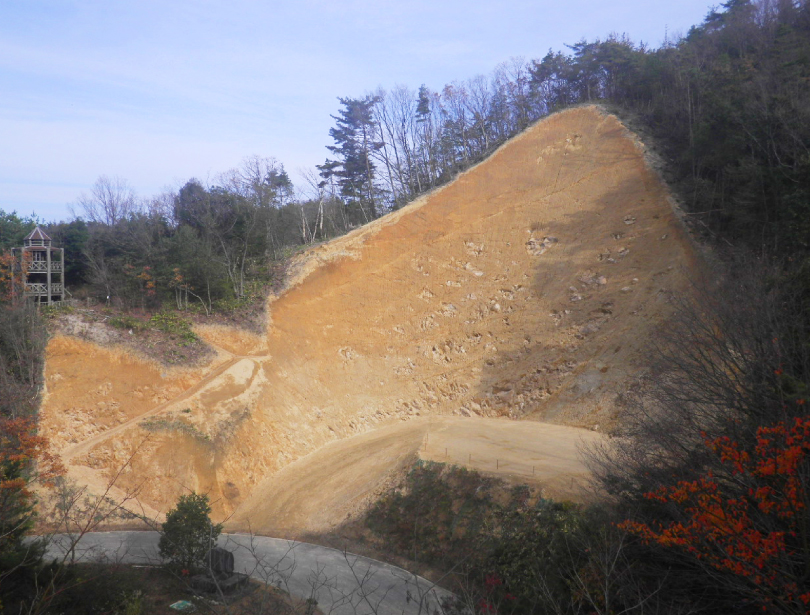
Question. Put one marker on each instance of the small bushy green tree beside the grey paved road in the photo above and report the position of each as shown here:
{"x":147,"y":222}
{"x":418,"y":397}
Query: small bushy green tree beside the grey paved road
{"x":188,"y":532}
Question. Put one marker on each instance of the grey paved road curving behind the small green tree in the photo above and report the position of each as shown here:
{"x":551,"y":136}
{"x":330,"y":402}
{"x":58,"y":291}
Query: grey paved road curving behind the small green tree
{"x":342,"y":583}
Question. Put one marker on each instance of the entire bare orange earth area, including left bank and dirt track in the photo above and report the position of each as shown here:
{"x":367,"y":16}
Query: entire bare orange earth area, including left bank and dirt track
{"x":526,"y":290}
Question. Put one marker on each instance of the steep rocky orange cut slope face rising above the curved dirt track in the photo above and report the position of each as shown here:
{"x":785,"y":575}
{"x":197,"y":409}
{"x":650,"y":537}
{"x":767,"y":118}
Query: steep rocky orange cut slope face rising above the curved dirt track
{"x":527,"y":288}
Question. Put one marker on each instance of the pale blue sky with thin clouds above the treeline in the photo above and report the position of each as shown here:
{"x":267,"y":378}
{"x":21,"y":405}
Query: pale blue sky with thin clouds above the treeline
{"x":158,"y":92}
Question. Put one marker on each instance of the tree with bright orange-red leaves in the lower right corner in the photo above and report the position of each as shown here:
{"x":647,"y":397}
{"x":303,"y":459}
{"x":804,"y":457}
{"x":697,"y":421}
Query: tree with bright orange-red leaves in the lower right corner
{"x":750,"y":527}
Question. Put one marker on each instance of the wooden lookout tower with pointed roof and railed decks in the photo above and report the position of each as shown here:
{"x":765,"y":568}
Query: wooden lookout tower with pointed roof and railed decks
{"x":40,"y":268}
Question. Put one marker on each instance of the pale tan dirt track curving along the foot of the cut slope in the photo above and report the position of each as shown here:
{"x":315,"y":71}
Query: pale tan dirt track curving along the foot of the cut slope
{"x":340,"y":478}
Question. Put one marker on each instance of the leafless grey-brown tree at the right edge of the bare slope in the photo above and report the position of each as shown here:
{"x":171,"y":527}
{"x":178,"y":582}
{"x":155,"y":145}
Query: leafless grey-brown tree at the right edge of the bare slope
{"x":715,"y":369}
